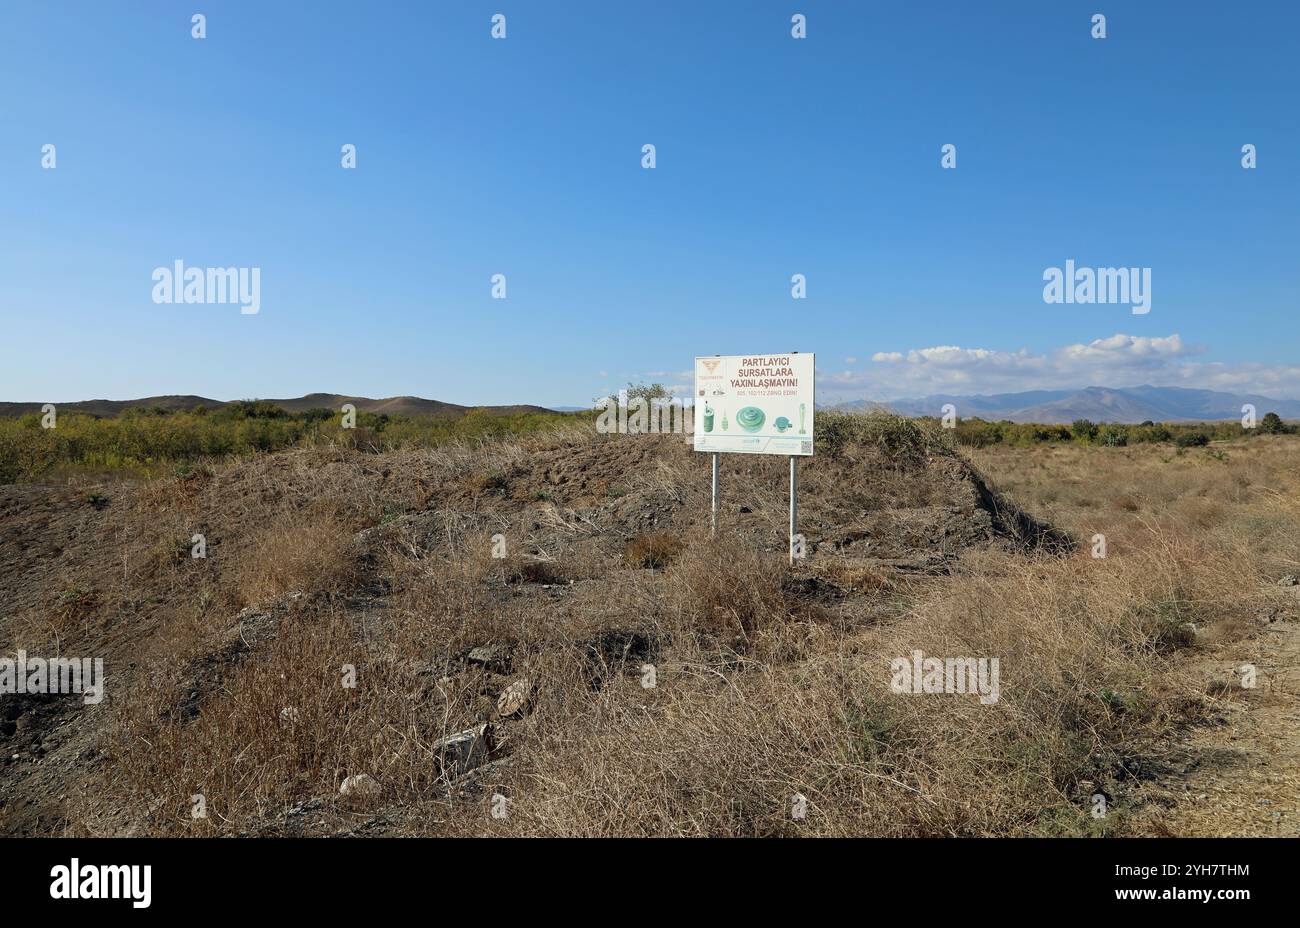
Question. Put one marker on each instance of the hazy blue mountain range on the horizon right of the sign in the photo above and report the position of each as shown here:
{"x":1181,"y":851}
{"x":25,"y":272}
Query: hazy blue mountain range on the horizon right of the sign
{"x":1100,"y":405}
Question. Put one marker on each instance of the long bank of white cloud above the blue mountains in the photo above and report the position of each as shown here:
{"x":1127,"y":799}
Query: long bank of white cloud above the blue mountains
{"x":1117,"y":362}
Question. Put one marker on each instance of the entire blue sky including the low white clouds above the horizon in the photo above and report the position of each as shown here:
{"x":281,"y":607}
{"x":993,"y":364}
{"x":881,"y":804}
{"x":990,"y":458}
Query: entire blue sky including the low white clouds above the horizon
{"x":523,"y":157}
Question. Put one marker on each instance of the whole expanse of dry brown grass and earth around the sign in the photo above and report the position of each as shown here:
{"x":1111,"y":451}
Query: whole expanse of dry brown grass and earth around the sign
{"x":772,"y":686}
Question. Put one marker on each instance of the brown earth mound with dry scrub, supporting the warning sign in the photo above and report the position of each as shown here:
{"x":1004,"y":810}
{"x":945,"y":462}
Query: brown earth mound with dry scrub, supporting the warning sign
{"x":552,"y":550}
